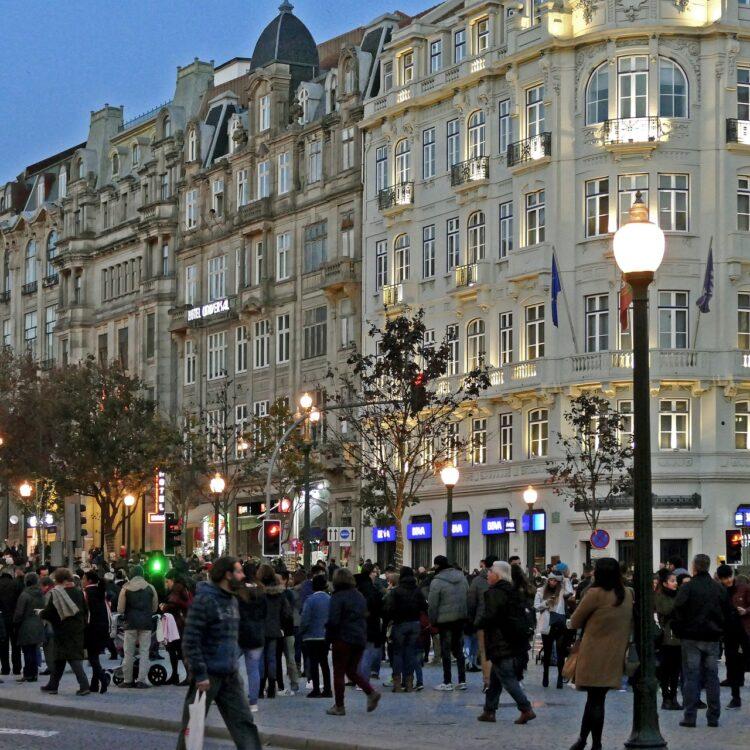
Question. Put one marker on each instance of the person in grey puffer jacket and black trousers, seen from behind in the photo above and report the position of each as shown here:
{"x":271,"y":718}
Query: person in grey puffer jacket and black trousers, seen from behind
{"x":448,"y":609}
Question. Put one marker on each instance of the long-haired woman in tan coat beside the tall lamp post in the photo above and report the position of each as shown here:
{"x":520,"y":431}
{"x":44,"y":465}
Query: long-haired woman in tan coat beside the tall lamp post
{"x":605,"y":614}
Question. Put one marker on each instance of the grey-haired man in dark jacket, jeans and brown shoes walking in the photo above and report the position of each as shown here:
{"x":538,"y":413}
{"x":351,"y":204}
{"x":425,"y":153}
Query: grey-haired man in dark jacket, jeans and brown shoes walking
{"x":506,"y":639}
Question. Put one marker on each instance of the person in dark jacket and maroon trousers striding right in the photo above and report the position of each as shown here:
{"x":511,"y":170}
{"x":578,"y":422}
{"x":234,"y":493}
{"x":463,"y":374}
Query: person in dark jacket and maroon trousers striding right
{"x":346,"y":629}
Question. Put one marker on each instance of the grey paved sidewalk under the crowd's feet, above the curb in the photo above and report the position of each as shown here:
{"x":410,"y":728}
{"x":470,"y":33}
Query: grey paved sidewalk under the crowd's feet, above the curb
{"x":428,"y":720}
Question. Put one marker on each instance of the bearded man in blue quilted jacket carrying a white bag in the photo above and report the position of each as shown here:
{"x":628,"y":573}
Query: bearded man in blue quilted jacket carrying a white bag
{"x":210,"y":645}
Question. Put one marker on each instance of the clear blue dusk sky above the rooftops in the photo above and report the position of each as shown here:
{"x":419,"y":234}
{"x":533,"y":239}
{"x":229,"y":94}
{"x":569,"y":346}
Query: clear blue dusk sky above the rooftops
{"x":60,"y":60}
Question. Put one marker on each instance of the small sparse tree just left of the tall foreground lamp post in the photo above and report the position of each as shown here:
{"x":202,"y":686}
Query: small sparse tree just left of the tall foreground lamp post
{"x":596,"y":461}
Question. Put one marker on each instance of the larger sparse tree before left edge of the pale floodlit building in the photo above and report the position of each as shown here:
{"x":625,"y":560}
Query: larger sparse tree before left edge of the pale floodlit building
{"x":396,"y":444}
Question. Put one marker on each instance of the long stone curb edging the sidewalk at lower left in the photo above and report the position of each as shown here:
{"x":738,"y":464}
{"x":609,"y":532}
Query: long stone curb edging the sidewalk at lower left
{"x":275,"y":739}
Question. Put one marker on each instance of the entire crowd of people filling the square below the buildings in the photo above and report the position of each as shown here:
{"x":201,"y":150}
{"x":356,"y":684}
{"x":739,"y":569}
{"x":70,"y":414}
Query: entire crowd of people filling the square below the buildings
{"x":330,"y":627}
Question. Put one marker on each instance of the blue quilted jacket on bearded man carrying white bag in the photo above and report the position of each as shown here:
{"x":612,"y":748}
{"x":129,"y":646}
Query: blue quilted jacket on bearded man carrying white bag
{"x":210,"y":639}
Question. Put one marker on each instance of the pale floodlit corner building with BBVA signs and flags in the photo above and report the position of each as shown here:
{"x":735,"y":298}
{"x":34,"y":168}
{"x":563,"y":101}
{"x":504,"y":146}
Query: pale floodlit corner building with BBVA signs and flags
{"x":505,"y":134}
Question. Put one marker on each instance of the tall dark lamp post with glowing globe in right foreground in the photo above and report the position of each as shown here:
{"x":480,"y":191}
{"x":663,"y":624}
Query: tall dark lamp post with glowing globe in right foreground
{"x":639,"y":250}
